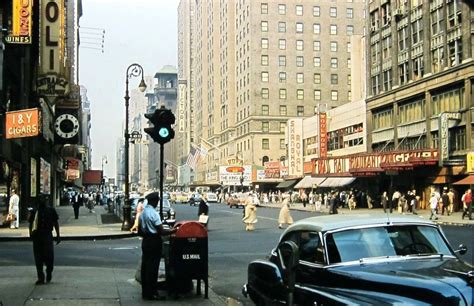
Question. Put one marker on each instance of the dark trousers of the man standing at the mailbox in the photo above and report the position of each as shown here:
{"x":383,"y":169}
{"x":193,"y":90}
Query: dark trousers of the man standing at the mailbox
{"x":151,"y":255}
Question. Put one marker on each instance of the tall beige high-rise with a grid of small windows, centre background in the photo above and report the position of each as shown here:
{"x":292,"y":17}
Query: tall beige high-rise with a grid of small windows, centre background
{"x":255,"y":64}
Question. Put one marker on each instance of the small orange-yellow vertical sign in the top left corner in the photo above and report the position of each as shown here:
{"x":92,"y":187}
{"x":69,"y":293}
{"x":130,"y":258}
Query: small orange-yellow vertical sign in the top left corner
{"x":21,"y":22}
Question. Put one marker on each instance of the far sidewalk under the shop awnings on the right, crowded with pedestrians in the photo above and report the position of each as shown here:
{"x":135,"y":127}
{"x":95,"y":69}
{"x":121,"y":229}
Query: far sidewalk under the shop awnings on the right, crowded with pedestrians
{"x":453,"y":219}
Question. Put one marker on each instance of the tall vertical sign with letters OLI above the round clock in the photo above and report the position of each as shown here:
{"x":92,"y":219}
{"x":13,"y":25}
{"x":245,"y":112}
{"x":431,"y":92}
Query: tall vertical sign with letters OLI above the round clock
{"x":51,"y":82}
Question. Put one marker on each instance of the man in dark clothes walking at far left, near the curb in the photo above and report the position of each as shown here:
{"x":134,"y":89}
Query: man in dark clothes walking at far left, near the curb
{"x":42,"y":221}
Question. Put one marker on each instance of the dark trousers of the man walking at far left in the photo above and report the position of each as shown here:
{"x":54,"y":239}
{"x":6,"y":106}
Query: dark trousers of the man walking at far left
{"x":43,"y":251}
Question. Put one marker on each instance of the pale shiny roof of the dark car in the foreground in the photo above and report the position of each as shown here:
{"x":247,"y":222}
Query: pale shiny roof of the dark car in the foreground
{"x":340,"y":221}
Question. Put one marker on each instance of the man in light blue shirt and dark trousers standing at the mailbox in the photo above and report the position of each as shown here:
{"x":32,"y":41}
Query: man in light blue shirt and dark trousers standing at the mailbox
{"x":151,"y":229}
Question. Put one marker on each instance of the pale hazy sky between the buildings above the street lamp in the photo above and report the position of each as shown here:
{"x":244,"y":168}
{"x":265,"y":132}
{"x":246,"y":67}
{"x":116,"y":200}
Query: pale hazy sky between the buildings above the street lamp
{"x":136,"y":31}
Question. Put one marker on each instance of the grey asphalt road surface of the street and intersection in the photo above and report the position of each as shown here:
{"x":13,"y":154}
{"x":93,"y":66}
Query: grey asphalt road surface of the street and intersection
{"x":231,"y":248}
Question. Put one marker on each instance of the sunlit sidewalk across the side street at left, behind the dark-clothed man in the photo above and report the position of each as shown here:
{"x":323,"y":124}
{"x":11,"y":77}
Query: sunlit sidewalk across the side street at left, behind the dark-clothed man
{"x":89,"y":226}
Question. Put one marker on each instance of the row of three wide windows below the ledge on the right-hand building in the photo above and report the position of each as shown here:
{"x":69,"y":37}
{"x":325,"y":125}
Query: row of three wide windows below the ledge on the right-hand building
{"x":415,"y":110}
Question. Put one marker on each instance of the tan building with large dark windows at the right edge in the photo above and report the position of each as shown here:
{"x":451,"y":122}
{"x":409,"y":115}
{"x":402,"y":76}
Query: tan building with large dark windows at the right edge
{"x":420,"y":79}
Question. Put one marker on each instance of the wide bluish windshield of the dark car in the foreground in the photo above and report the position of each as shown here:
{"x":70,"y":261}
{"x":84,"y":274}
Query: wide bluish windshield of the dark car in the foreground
{"x":356,"y":244}
